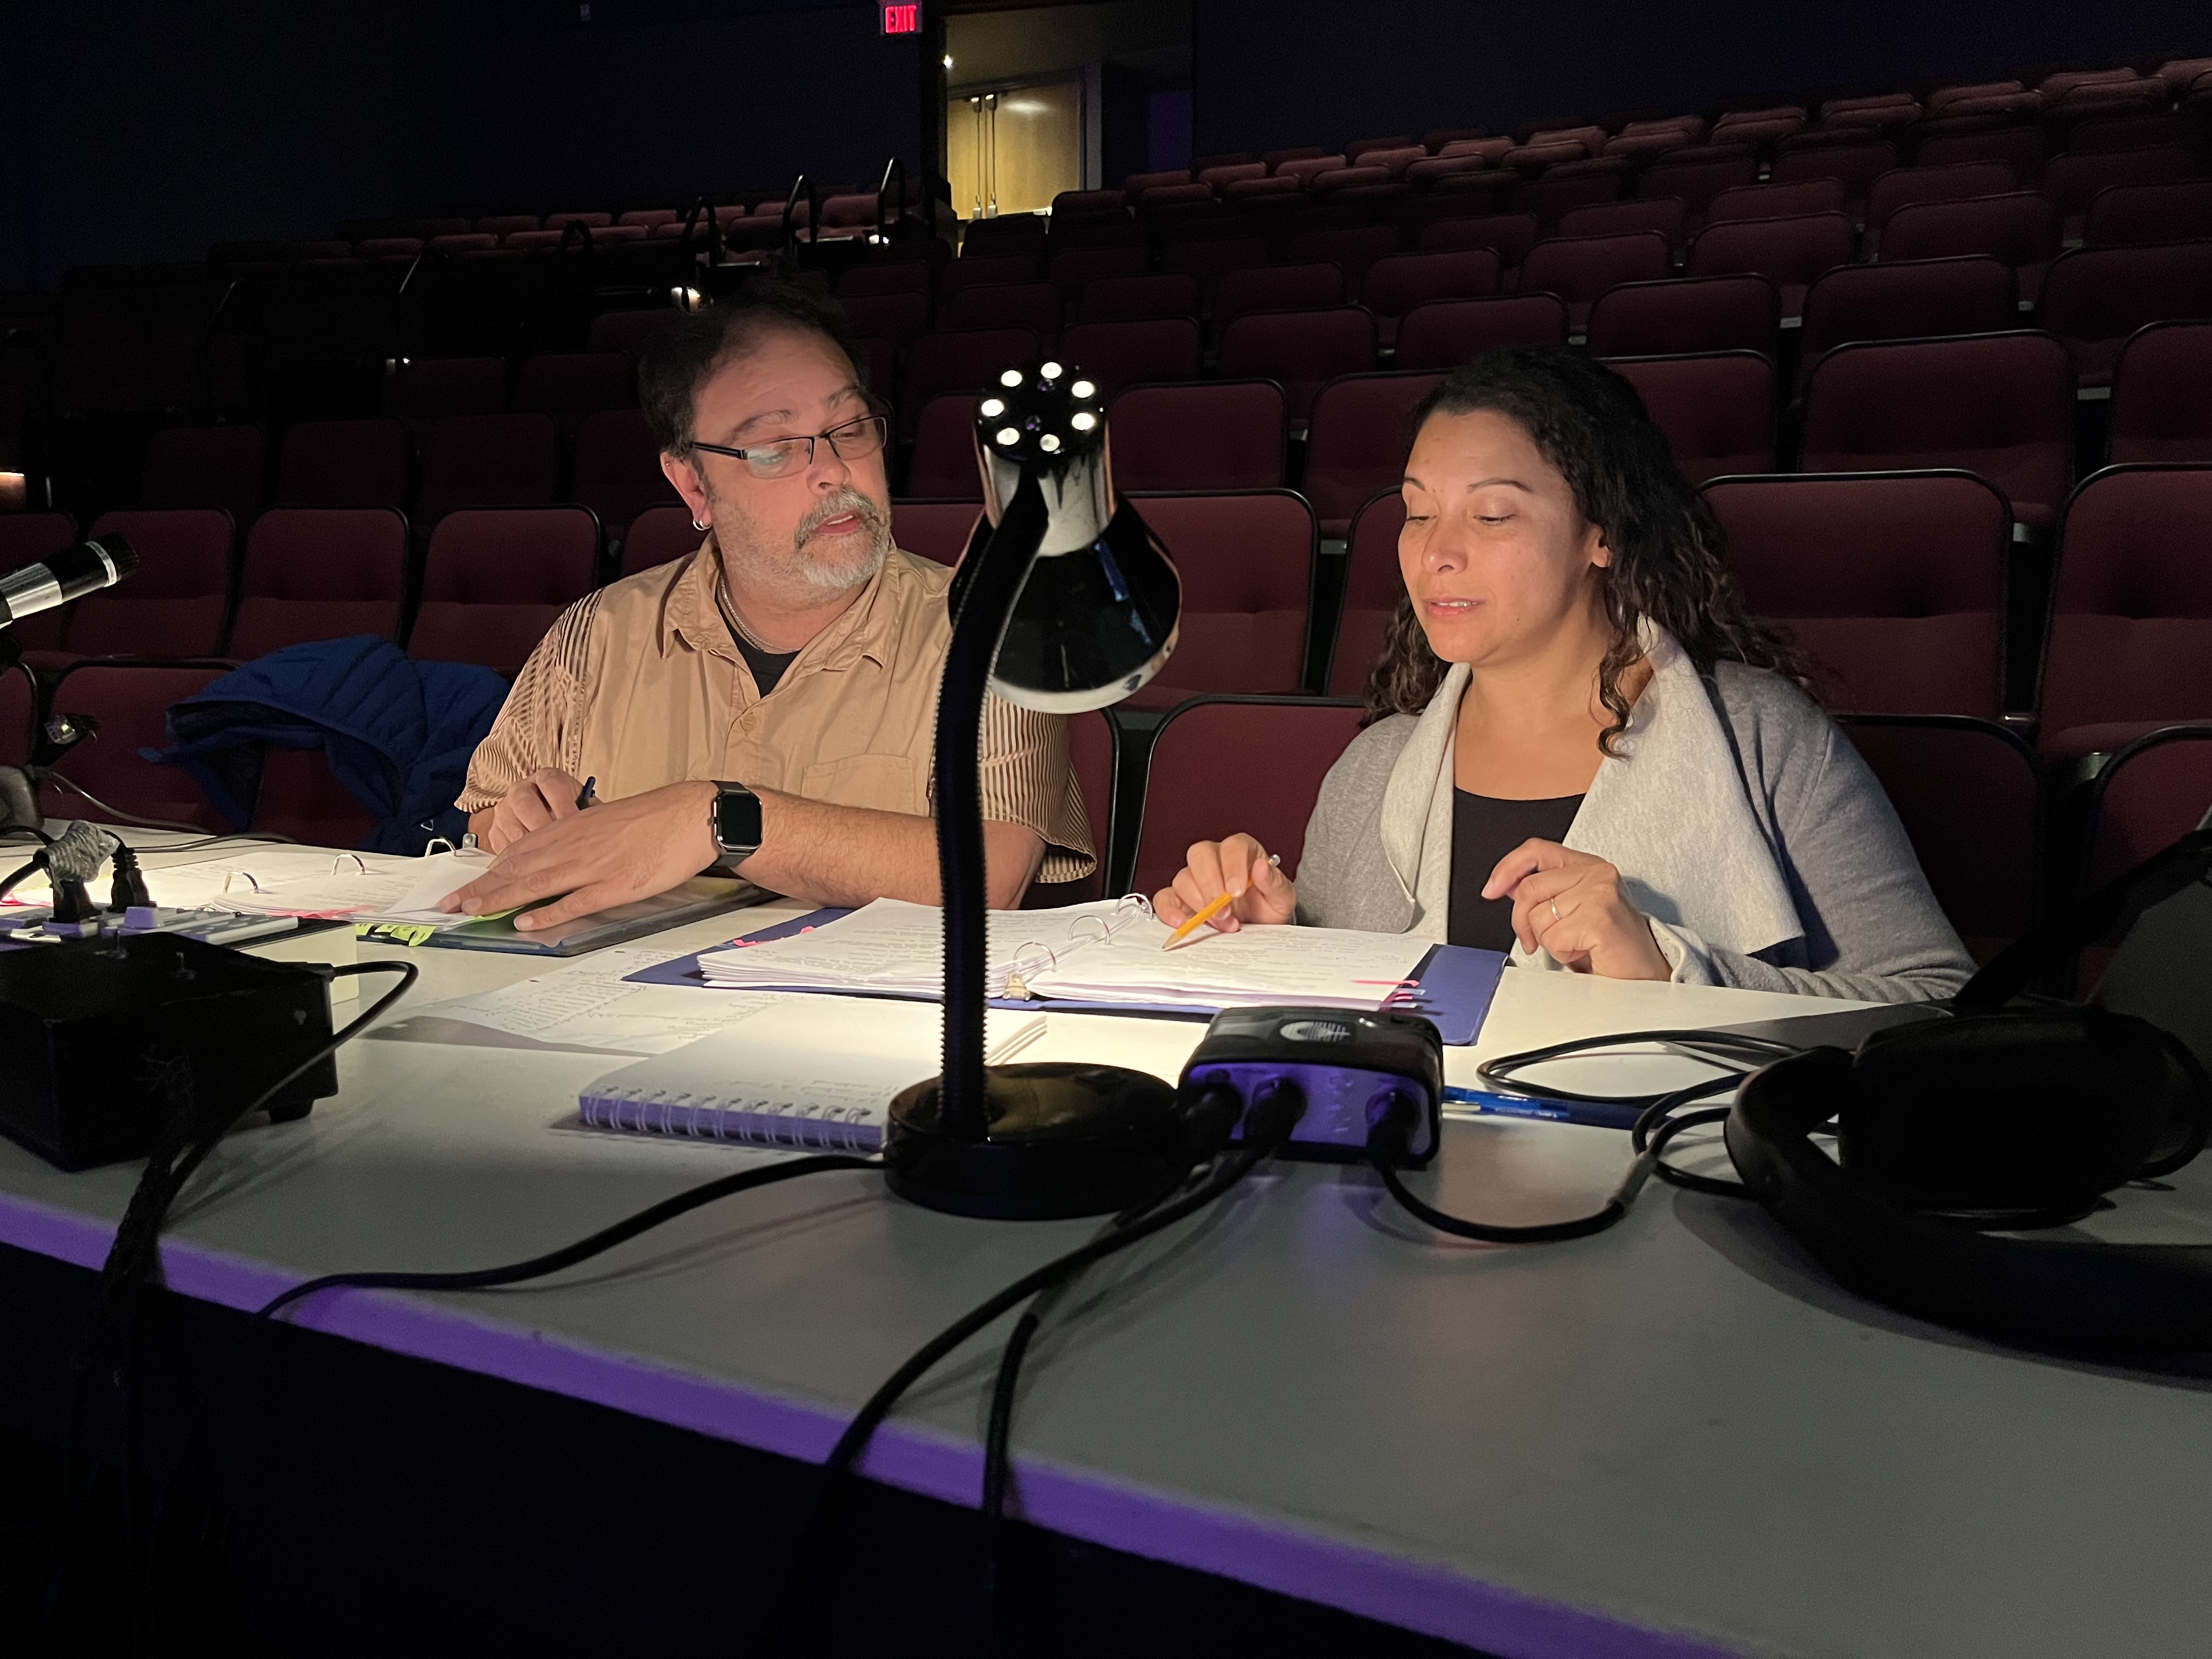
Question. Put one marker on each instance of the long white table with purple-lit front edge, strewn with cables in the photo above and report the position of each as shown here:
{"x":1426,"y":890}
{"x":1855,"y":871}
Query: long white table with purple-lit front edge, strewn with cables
{"x":1669,"y":1439}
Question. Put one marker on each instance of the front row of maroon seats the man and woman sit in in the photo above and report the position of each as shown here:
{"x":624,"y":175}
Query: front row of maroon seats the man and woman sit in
{"x":1970,"y":793}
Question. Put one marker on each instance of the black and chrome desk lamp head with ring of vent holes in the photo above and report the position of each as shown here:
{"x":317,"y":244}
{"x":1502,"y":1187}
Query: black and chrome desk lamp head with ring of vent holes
{"x":1098,"y":609}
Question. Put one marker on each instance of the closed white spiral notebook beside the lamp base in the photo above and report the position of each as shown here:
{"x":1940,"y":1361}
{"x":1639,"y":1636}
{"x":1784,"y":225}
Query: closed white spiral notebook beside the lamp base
{"x":800,"y":1076}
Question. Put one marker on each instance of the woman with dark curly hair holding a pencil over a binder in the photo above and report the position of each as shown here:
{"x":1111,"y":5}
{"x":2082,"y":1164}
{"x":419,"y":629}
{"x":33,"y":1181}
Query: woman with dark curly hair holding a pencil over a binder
{"x":1583,"y":751}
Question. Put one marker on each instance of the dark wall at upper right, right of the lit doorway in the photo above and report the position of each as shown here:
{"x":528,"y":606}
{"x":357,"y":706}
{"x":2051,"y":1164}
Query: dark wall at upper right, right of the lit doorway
{"x":1308,"y":72}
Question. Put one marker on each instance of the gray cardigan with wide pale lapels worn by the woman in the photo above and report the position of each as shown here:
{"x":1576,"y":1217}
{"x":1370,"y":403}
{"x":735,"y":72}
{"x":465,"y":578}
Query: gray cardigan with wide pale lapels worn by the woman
{"x":1762,"y":848}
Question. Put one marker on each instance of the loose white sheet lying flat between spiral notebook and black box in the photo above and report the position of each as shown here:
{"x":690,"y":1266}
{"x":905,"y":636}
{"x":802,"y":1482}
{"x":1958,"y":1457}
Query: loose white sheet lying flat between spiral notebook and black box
{"x":587,"y":1005}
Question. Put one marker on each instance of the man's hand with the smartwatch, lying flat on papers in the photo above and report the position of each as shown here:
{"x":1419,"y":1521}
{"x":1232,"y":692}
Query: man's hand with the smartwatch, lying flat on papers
{"x":609,"y":855}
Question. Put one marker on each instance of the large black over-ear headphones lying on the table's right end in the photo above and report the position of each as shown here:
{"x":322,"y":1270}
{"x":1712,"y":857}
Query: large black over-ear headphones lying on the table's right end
{"x":1996,"y":1118}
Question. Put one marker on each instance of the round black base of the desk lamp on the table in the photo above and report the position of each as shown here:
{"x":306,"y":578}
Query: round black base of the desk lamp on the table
{"x":1063,"y":1140}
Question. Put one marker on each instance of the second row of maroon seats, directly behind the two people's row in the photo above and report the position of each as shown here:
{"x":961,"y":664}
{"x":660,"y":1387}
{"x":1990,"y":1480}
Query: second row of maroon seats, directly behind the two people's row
{"x":1901,"y":587}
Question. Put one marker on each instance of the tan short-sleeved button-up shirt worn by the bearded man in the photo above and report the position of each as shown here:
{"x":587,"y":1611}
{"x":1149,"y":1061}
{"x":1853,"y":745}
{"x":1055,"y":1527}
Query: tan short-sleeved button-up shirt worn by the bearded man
{"x":640,"y":685}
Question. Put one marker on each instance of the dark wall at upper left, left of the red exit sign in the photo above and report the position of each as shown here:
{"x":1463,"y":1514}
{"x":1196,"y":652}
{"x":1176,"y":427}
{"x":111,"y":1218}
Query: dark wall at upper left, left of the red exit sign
{"x":138,"y":132}
